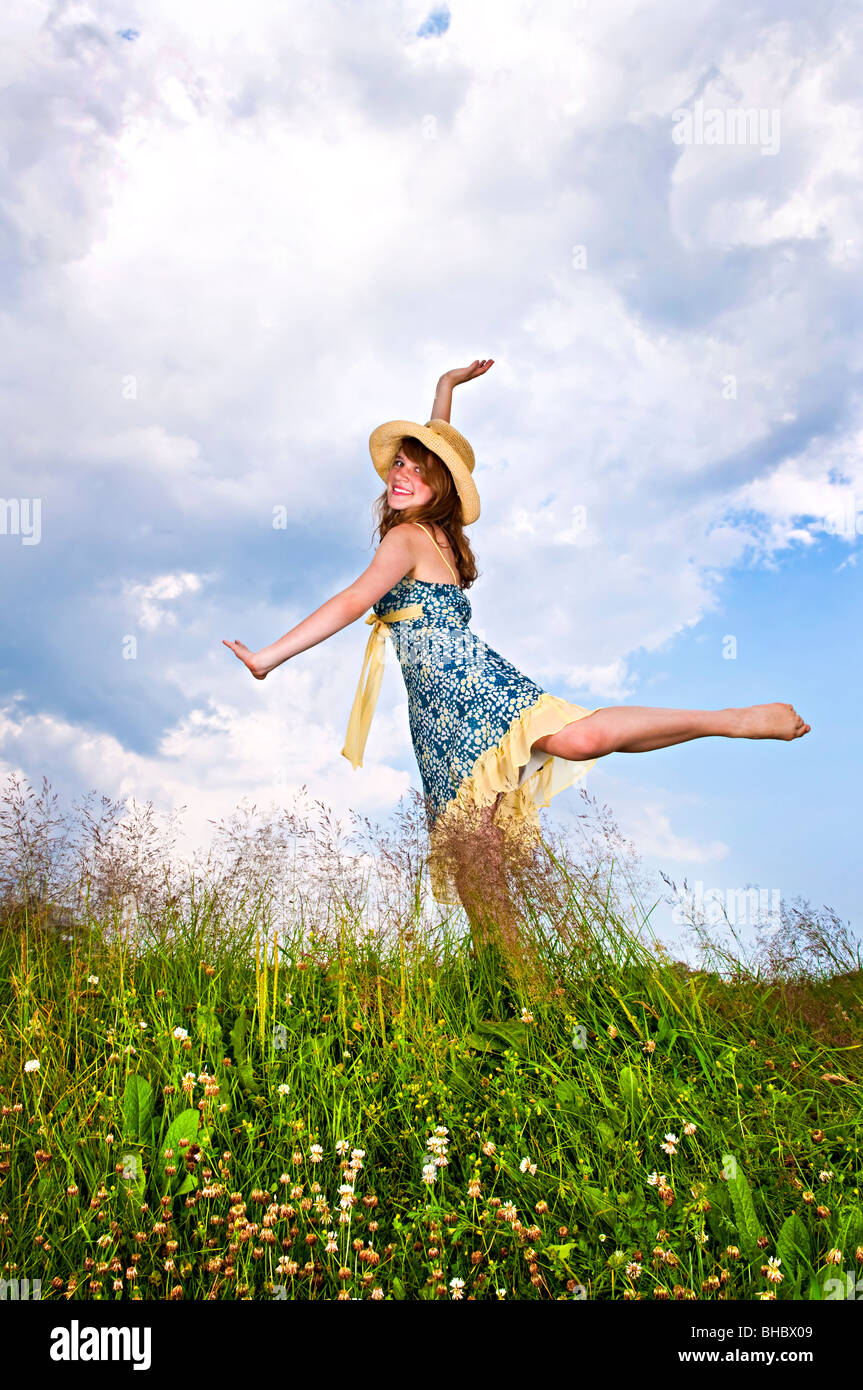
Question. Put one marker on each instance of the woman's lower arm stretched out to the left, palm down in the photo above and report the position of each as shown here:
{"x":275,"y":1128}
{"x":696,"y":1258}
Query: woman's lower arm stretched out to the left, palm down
{"x":393,"y":561}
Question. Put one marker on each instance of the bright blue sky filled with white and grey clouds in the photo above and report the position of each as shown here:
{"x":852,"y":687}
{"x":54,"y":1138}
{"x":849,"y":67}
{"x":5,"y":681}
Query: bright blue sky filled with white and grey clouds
{"x":237,"y":238}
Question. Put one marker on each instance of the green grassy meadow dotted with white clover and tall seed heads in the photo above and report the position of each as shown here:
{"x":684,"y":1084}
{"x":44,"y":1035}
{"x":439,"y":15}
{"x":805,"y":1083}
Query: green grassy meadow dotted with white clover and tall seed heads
{"x":284,"y":1074}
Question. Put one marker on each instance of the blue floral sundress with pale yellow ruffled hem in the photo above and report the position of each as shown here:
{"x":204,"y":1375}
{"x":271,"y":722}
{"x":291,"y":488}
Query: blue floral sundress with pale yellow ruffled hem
{"x":473,"y":715}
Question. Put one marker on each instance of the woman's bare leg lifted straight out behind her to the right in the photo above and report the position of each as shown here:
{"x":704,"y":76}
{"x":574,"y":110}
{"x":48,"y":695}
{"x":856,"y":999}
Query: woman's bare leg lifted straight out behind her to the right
{"x":640,"y":729}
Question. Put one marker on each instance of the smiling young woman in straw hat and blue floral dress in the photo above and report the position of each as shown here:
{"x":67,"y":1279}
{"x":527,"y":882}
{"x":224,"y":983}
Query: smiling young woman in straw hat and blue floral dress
{"x":491,"y":744}
